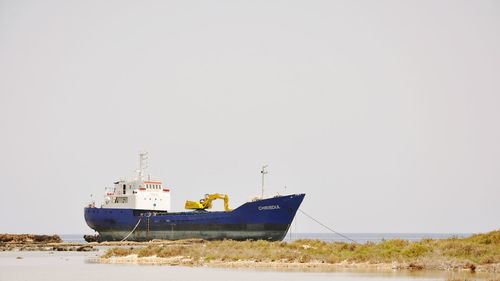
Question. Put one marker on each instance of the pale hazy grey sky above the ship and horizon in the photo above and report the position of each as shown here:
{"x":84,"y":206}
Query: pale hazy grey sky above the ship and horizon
{"x":385,"y":113}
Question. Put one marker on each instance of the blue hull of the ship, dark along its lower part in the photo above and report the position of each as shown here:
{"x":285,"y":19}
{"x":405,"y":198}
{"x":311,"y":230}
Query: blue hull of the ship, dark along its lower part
{"x":267,"y":219}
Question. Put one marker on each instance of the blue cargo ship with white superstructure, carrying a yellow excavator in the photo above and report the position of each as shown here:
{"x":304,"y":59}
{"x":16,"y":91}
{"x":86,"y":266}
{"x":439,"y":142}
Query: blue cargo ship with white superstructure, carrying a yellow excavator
{"x":139,"y":210}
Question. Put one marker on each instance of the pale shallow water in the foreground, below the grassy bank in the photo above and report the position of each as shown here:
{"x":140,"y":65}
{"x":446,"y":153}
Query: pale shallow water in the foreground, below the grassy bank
{"x":77,"y":266}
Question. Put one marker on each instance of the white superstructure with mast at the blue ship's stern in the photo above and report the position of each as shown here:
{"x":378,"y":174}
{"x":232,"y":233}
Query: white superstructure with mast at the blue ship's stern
{"x":138,"y":193}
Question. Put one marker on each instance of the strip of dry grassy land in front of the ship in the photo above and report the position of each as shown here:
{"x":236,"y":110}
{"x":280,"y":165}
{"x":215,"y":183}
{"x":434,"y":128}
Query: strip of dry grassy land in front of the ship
{"x":480,"y":249}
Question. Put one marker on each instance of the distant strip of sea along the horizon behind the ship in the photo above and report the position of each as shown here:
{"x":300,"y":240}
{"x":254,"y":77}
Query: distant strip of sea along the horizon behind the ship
{"x":359,"y":237}
